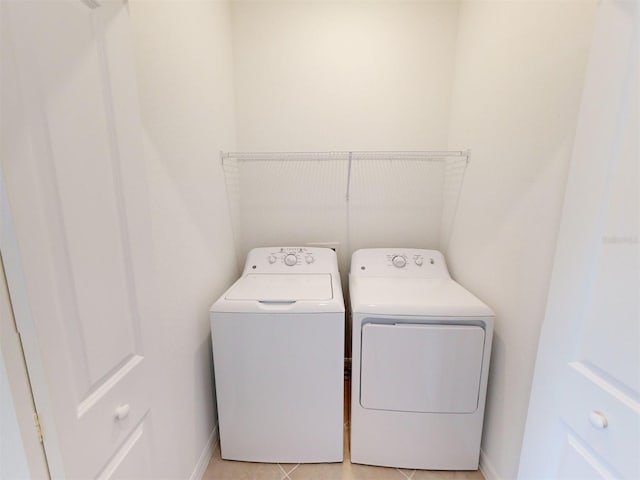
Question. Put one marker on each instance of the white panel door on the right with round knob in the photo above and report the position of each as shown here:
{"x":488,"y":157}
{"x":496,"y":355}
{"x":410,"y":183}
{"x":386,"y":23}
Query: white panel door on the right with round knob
{"x":584,"y":414}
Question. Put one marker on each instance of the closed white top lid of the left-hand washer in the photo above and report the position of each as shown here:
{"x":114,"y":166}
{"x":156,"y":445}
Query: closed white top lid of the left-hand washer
{"x":284,"y":287}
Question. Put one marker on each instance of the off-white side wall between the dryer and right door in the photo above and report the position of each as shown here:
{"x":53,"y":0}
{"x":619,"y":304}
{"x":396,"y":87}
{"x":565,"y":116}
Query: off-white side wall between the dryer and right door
{"x":518,"y":79}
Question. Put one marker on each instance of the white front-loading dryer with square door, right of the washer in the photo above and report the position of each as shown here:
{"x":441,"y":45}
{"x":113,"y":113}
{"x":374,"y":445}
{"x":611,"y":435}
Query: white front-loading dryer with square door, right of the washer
{"x":420,"y":360}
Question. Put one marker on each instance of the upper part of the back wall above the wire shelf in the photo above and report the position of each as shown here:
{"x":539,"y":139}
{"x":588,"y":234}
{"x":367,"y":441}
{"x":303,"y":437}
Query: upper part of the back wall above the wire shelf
{"x":343,"y":75}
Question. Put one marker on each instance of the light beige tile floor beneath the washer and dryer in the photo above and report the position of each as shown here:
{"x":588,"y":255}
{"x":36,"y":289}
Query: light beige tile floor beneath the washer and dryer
{"x":219,"y":469}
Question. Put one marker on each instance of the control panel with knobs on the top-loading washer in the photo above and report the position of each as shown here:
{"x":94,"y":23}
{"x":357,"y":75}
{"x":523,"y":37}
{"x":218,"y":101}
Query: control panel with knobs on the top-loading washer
{"x":291,"y":260}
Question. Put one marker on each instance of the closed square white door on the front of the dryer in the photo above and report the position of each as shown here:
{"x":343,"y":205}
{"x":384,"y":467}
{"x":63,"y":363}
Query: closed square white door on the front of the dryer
{"x":421,"y":367}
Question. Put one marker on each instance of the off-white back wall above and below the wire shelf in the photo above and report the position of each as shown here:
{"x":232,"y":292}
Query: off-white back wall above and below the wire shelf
{"x":323,"y":76}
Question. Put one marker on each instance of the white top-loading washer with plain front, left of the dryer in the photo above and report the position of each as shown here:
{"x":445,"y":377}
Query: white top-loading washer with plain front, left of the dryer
{"x":278,"y":355}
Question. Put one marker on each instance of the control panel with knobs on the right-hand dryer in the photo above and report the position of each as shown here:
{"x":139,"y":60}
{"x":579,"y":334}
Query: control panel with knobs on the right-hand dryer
{"x":401,"y":262}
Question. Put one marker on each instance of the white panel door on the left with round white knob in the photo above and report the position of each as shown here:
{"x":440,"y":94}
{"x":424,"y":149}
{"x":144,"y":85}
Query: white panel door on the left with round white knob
{"x":75,"y":237}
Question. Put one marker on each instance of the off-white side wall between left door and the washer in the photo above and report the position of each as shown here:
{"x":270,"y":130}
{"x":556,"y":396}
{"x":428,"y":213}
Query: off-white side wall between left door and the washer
{"x":184,"y":68}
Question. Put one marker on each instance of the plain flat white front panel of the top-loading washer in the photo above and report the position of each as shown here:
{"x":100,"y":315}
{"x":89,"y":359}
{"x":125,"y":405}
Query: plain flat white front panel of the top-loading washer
{"x":279,"y":384}
